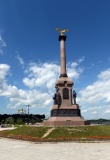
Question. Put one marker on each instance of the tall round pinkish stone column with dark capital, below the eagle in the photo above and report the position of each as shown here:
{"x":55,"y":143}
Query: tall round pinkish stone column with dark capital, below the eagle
{"x":62,"y":39}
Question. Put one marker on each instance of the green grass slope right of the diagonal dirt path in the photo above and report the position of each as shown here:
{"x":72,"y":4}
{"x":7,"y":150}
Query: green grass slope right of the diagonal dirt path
{"x":82,"y":131}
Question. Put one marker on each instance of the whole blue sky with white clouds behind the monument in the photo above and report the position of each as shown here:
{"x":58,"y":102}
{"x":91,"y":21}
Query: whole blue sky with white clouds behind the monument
{"x":29,"y":54}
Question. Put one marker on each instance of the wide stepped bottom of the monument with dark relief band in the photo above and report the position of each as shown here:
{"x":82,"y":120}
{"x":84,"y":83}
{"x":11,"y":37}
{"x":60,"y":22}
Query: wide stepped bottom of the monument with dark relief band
{"x":66,"y":116}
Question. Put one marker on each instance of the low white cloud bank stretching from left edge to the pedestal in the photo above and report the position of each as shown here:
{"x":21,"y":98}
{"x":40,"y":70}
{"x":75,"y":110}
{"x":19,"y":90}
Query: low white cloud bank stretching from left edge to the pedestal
{"x":19,"y":97}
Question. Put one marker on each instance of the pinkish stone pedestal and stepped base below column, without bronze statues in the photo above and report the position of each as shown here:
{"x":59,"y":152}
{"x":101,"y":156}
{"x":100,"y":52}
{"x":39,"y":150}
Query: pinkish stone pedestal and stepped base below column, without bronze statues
{"x":67,"y":113}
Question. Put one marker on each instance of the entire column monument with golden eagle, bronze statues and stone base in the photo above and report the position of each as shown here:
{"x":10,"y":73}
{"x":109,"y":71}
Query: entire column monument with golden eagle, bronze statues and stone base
{"x":65,"y":110}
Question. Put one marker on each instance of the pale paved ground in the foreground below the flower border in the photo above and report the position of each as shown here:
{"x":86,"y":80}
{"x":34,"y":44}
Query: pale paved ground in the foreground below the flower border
{"x":21,"y":150}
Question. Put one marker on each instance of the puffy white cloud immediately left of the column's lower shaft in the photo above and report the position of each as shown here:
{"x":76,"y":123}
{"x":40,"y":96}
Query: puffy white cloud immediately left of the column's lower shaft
{"x":41,"y":75}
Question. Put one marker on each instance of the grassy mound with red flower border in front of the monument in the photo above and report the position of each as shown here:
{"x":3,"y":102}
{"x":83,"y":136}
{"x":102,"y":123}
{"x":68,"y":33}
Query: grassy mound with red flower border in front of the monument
{"x":99,"y":132}
